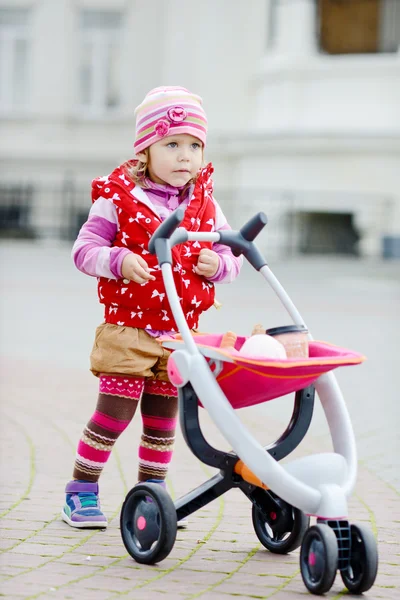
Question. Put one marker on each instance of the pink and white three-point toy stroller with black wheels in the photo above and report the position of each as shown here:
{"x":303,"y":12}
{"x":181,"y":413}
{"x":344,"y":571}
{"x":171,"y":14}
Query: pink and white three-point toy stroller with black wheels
{"x":283,"y":497}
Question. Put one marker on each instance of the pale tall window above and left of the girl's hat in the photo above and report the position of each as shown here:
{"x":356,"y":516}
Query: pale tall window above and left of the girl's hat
{"x":99,"y":77}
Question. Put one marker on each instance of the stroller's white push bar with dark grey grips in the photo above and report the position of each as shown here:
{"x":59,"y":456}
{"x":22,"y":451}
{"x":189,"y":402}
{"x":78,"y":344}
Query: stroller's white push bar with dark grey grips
{"x":168,"y":235}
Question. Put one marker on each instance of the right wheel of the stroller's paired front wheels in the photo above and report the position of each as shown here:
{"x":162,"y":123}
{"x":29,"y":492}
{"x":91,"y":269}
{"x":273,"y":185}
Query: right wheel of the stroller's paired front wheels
{"x":361,"y":574}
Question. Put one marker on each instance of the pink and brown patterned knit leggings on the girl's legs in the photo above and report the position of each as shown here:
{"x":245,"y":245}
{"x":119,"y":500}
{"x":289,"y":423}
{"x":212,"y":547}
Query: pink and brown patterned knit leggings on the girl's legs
{"x":118,"y":399}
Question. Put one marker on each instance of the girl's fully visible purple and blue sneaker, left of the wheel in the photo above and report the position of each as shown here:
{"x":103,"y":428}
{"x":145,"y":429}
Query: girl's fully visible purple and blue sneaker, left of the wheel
{"x":82,"y":505}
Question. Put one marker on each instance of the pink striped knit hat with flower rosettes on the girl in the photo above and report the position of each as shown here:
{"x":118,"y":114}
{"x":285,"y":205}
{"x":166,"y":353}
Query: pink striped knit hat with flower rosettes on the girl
{"x":168,"y":111}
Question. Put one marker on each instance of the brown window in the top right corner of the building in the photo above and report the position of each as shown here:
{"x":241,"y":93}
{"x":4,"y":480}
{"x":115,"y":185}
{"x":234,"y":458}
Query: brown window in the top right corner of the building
{"x":359,"y":26}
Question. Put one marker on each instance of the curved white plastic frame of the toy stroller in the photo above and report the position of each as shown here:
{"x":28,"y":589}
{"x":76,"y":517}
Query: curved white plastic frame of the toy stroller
{"x":319,"y":484}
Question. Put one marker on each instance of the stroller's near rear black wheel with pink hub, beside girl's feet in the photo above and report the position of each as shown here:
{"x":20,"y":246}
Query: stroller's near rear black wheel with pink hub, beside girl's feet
{"x":148,"y":523}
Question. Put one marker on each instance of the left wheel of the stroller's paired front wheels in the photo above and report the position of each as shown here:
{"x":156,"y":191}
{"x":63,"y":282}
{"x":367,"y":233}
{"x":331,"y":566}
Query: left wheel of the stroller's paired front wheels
{"x":319,"y":559}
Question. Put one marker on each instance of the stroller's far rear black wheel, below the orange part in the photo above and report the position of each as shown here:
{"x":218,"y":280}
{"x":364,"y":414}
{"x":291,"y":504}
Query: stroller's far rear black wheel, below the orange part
{"x":280,"y":528}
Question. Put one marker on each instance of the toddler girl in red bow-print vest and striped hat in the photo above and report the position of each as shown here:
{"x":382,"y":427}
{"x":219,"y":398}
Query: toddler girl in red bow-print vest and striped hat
{"x":128,"y":206}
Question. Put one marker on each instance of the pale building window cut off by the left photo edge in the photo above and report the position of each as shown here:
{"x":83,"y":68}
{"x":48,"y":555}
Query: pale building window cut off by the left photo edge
{"x":14,"y":58}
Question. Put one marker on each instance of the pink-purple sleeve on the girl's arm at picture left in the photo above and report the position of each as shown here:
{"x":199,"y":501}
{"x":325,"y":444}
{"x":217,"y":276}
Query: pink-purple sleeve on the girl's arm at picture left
{"x":92,"y":252}
